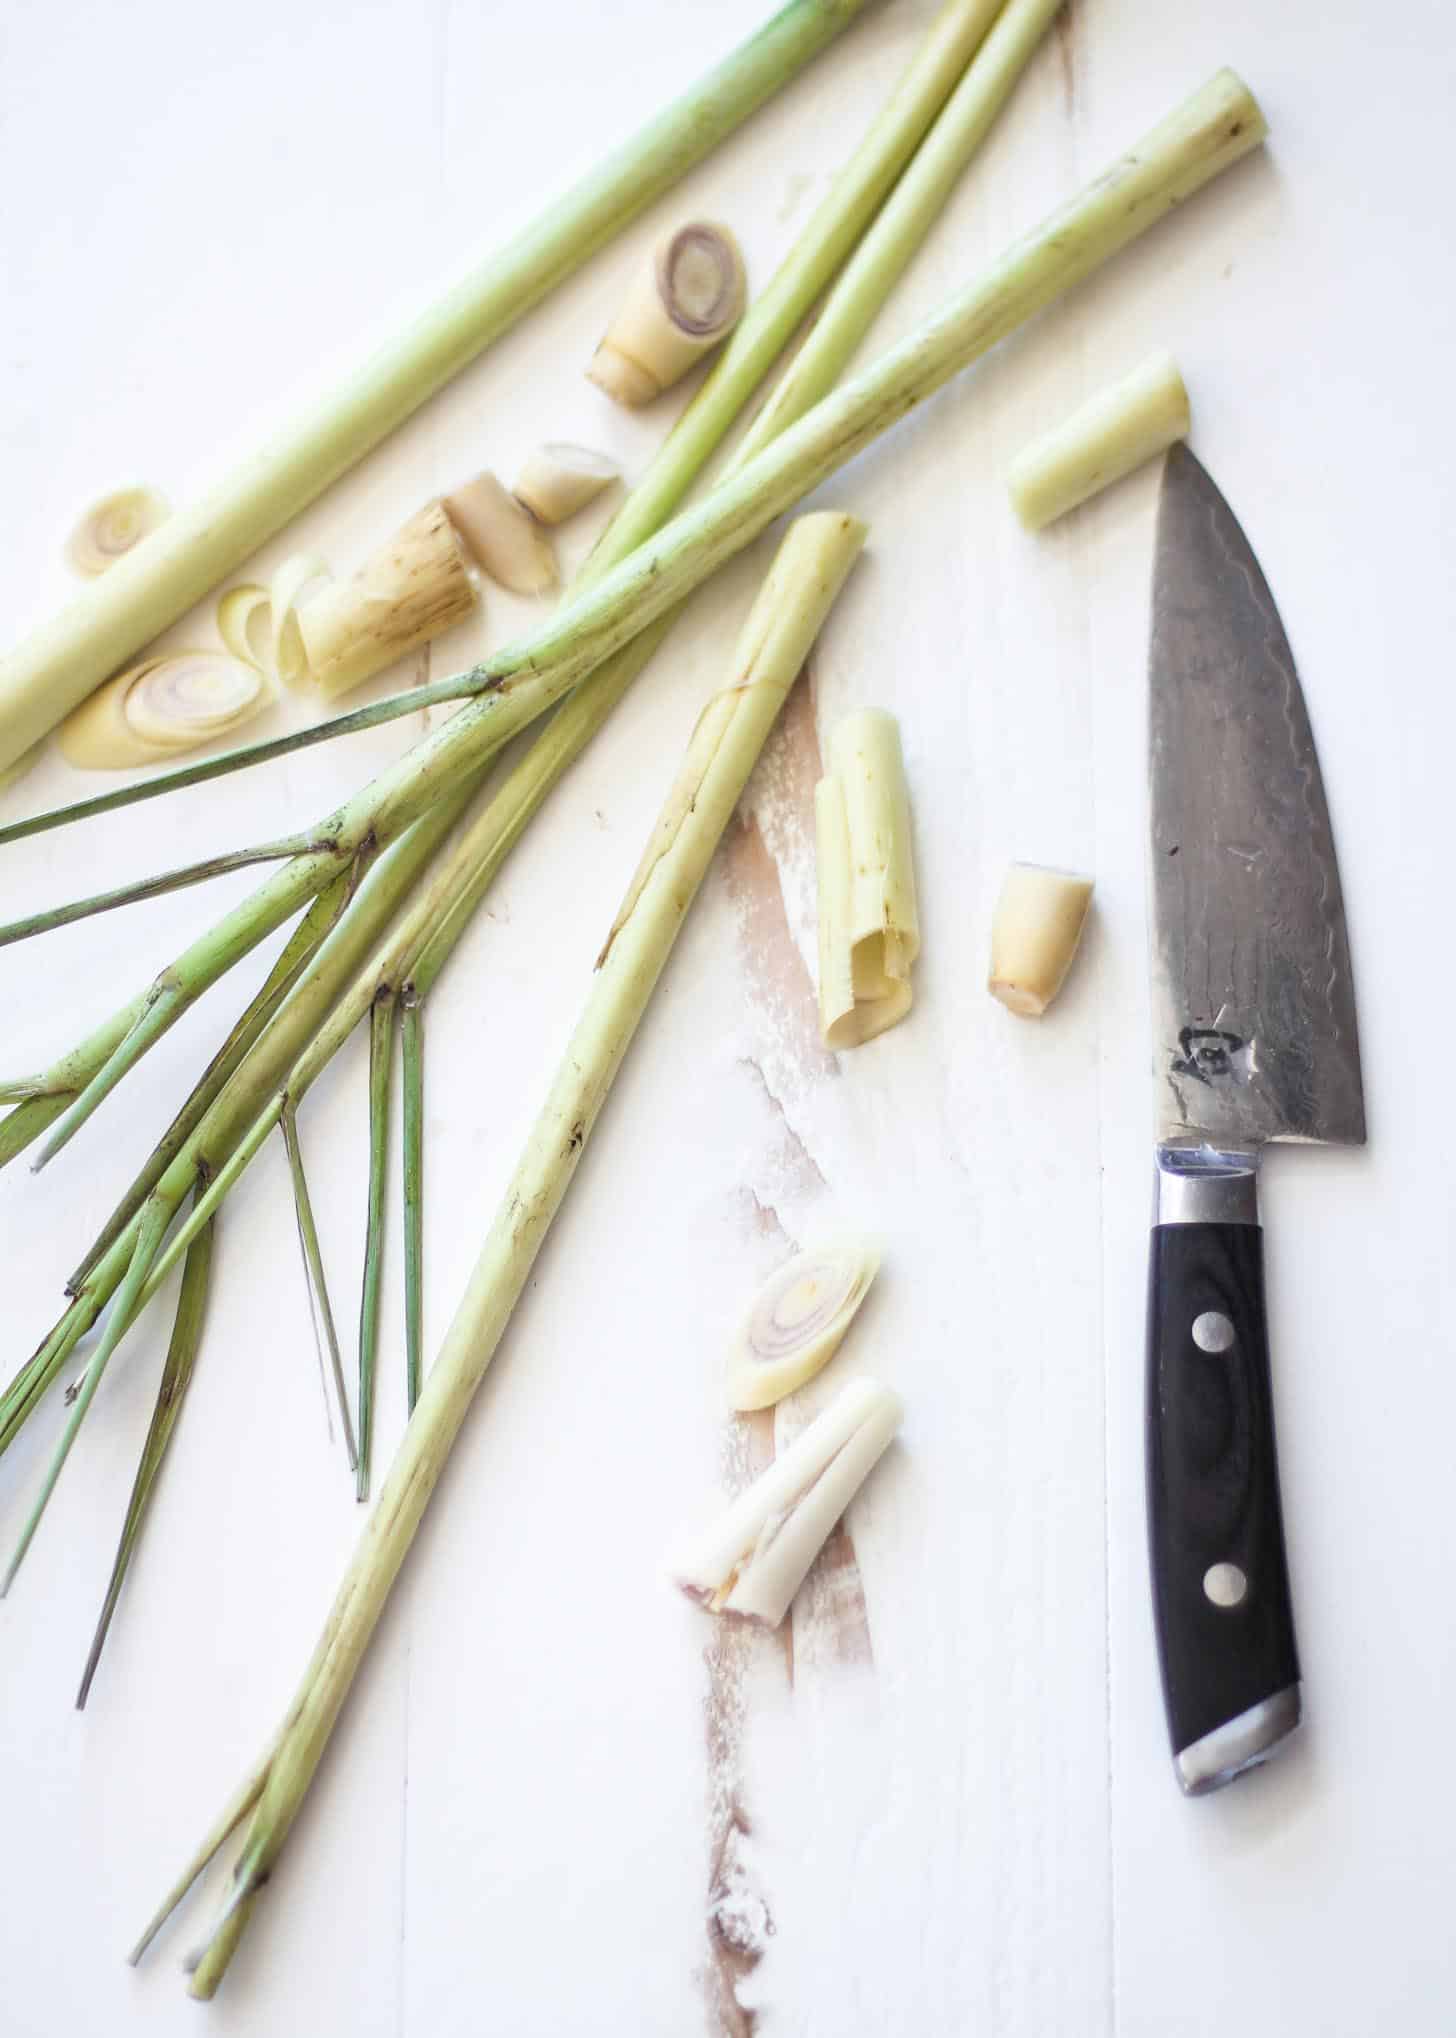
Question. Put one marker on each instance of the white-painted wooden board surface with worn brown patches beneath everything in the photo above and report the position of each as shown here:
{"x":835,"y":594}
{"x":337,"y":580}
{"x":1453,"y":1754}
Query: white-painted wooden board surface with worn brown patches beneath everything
{"x":552,"y":1768}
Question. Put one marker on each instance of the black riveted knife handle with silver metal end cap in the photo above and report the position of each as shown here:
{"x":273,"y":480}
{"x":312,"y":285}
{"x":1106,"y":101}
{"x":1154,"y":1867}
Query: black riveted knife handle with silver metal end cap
{"x":1220,"y":1580}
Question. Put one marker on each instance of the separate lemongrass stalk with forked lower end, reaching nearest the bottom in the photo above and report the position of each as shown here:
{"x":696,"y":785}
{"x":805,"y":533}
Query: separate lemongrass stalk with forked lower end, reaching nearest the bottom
{"x":798,"y":594}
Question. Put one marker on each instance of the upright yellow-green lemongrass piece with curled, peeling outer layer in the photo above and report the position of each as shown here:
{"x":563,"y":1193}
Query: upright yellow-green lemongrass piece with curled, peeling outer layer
{"x":870,"y":928}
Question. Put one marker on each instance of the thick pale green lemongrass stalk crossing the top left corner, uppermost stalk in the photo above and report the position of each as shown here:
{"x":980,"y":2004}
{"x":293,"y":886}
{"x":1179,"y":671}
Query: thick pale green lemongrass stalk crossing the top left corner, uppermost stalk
{"x":195,"y":549}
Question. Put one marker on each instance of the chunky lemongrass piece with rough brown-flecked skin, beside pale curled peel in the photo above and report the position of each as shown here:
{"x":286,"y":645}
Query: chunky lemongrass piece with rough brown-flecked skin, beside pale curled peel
{"x":407,"y":594}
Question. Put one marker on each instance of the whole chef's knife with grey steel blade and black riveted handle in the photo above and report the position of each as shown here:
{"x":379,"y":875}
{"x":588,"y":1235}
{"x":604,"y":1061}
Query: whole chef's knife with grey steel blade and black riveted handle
{"x":1255,"y":1040}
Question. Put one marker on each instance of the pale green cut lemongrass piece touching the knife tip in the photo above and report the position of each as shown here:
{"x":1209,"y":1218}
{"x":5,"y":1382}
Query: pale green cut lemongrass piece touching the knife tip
{"x":1100,"y":443}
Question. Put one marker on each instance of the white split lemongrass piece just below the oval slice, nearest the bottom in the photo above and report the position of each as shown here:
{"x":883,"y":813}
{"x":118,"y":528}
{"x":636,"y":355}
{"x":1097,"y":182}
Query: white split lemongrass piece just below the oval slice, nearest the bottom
{"x":760,"y":1550}
